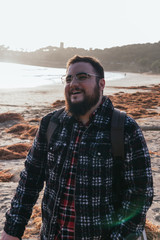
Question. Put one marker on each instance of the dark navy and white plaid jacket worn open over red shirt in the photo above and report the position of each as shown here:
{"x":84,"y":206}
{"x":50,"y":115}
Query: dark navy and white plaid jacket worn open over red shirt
{"x":96,"y":217}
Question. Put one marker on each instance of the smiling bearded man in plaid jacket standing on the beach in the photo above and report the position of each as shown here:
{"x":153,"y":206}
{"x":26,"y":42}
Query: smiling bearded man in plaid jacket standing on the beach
{"x":77,"y":167}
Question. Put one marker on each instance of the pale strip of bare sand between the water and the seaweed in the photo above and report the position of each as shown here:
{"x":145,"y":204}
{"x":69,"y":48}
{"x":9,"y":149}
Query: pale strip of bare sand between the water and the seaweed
{"x":54,"y":92}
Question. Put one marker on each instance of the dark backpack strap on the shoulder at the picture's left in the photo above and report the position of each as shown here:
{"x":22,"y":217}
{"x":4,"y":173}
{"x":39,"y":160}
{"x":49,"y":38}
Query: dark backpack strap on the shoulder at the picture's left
{"x":53,"y":123}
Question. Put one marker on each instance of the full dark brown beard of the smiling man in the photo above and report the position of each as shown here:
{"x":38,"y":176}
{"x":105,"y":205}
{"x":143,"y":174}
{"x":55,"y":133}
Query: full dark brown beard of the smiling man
{"x":82,"y":107}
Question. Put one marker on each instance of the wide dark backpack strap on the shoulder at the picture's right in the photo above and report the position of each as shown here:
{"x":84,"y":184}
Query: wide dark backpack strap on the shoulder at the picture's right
{"x":117,"y":133}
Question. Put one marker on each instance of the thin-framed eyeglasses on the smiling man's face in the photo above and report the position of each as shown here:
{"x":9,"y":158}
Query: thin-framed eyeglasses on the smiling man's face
{"x":80,"y":77}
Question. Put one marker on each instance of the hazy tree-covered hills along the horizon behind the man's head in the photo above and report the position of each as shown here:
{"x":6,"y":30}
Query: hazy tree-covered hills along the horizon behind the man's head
{"x":132,"y":58}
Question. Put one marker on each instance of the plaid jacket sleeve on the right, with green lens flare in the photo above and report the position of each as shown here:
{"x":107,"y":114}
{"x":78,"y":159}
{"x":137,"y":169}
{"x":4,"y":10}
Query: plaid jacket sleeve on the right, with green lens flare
{"x":137,"y":191}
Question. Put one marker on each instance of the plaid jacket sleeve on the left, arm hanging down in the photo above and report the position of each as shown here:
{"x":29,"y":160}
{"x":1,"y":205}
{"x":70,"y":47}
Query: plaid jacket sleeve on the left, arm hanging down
{"x":31,"y":183}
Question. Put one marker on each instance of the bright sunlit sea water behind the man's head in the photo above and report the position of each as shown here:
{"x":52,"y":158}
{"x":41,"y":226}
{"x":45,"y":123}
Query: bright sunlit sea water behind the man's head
{"x":14,"y":75}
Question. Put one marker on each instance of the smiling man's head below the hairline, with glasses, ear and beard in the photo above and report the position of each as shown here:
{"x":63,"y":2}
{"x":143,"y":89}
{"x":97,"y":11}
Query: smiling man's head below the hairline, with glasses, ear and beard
{"x":83,"y":89}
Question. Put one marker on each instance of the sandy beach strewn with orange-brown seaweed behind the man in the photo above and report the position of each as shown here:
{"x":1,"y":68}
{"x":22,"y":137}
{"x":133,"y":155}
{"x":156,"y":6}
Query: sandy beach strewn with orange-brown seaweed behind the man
{"x":22,"y":109}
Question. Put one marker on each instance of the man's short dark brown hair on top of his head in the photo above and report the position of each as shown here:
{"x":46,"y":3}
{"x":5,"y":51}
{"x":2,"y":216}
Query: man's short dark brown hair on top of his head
{"x":92,"y":60}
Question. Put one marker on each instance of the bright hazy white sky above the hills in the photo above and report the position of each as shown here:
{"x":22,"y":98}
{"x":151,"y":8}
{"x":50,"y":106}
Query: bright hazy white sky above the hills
{"x":31,"y":24}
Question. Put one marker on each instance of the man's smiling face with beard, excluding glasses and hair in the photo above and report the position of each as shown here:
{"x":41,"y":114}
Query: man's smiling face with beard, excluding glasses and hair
{"x":81,"y":96}
